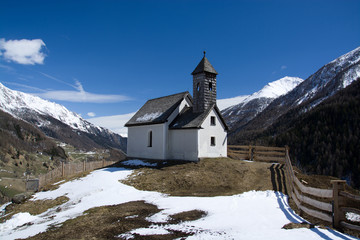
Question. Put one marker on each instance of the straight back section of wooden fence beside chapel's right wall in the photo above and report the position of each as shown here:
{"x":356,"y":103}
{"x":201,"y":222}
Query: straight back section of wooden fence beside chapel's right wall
{"x":258,"y":153}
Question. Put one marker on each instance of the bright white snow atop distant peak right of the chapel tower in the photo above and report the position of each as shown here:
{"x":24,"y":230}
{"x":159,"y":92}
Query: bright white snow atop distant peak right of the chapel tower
{"x":271,"y":90}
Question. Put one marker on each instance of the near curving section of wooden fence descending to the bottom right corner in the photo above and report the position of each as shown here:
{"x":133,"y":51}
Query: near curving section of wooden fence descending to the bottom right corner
{"x":330,"y":205}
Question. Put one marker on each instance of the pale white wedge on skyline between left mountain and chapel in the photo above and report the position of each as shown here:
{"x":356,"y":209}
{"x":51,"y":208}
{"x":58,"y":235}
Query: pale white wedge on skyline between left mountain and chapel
{"x":115,"y":123}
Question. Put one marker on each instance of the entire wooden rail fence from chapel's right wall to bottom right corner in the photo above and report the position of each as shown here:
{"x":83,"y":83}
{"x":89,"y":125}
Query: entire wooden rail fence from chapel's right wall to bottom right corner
{"x":330,"y":205}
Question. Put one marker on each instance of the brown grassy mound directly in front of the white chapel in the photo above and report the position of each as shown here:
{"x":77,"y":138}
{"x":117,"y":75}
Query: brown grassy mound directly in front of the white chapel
{"x":208,"y":177}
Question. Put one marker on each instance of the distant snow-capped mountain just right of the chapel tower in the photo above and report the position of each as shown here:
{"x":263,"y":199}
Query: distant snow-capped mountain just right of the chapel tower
{"x":245,"y":108}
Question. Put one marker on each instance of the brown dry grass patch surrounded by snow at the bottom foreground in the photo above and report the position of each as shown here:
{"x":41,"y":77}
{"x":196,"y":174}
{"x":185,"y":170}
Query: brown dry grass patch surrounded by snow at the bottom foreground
{"x":108,"y":222}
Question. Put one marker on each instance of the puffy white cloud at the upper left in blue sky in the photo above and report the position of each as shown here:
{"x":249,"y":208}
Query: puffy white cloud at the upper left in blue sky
{"x":23,"y":51}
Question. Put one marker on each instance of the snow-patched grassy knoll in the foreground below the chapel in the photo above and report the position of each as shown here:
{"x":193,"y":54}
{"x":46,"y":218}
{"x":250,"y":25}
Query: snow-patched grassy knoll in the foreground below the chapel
{"x":101,"y":206}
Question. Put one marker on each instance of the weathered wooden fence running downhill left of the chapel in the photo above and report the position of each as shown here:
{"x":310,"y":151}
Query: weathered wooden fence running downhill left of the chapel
{"x":66,"y":169}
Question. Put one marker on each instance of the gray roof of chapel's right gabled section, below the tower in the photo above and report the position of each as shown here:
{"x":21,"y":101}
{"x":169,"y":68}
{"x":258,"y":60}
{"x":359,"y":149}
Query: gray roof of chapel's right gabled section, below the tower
{"x":188,"y":119}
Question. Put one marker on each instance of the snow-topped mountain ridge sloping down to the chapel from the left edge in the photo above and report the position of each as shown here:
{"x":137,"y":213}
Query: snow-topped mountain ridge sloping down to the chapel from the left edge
{"x":58,"y":122}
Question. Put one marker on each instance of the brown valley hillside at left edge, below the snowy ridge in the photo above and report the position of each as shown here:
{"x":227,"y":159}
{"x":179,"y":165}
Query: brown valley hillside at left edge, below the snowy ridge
{"x":26,"y":150}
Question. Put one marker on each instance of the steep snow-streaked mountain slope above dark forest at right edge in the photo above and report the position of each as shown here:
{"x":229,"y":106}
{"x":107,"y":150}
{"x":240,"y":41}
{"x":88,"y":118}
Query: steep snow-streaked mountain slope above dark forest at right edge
{"x":321,"y":85}
